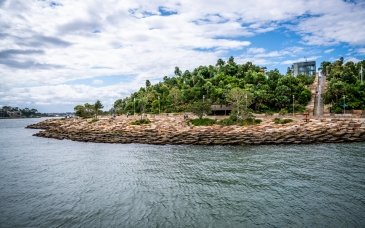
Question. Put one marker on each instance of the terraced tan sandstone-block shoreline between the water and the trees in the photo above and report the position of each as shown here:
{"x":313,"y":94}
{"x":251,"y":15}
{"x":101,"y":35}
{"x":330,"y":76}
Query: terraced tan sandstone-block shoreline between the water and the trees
{"x":175,"y":130}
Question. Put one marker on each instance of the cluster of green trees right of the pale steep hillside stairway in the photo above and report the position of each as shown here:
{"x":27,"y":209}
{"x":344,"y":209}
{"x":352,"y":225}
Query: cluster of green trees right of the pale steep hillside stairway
{"x":344,"y":85}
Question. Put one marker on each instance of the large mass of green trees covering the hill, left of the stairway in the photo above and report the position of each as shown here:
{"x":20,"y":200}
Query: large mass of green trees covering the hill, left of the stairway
{"x":247,"y":87}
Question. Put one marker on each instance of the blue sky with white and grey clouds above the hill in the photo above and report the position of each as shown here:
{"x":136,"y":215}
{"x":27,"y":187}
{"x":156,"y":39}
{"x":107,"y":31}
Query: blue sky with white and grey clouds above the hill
{"x":55,"y":54}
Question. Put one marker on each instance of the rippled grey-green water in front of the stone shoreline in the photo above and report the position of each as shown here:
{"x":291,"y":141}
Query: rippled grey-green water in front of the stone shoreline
{"x":51,"y":183}
